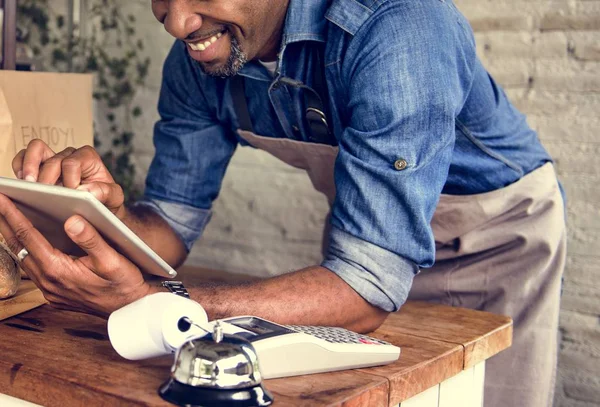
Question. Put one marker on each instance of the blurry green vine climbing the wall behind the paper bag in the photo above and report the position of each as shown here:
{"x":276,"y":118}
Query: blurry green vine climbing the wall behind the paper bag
{"x":109,"y":48}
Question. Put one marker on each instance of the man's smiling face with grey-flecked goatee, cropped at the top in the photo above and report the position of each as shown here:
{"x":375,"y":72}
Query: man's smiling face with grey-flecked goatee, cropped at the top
{"x":223,"y":34}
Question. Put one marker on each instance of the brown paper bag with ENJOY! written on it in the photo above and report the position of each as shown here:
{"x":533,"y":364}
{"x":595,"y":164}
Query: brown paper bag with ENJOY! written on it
{"x":54,"y":107}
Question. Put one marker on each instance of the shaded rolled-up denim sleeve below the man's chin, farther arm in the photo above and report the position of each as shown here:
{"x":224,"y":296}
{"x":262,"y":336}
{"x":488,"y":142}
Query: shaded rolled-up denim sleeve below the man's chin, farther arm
{"x":192,"y":149}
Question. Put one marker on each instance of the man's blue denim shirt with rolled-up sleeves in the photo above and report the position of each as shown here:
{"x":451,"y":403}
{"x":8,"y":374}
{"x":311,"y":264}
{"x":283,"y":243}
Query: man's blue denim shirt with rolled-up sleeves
{"x":403,"y":82}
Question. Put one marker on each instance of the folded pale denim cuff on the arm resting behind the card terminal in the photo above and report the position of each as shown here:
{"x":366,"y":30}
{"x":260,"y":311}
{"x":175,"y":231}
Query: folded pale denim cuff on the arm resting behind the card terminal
{"x":381,"y":277}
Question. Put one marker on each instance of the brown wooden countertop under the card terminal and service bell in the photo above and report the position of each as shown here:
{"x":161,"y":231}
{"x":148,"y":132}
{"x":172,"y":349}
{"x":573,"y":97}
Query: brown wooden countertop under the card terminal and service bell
{"x":61,"y":358}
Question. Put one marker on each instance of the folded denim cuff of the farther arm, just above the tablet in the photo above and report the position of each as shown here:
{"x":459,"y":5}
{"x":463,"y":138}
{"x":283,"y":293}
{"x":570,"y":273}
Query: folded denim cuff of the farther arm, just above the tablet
{"x":187,"y":221}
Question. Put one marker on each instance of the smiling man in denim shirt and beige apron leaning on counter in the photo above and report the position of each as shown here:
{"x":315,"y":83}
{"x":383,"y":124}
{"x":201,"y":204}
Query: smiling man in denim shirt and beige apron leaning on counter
{"x":387,"y":107}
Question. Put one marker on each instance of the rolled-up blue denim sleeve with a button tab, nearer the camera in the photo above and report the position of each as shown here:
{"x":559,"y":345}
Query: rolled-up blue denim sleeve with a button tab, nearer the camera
{"x":406,"y":76}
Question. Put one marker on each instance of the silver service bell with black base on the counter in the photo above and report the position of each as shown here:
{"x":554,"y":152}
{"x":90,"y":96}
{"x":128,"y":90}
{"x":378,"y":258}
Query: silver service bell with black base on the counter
{"x":216,"y":370}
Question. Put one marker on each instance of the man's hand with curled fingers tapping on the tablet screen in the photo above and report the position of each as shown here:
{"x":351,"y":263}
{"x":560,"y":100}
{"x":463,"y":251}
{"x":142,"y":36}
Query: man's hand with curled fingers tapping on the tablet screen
{"x":80,"y":168}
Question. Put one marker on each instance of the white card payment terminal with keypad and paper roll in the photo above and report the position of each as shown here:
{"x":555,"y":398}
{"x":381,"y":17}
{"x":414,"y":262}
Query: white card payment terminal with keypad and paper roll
{"x":159,"y":324}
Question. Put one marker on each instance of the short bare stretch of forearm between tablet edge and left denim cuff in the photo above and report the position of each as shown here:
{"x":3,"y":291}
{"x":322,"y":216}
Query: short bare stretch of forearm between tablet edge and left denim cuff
{"x":156,"y":233}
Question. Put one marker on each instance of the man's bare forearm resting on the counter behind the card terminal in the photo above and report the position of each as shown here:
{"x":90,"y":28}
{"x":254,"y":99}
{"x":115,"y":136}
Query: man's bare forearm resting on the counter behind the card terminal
{"x":312,"y":296}
